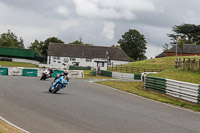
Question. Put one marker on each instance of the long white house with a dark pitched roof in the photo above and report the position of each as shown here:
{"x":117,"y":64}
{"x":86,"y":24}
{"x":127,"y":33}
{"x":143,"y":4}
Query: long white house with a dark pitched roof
{"x":63,"y":55}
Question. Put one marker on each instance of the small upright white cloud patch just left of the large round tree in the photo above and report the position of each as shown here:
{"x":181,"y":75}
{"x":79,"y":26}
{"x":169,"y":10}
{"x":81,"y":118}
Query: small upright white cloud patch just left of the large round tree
{"x":108,"y":29}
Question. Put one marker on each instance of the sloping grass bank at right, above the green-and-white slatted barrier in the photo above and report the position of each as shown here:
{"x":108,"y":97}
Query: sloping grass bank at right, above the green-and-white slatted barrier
{"x":169,"y":71}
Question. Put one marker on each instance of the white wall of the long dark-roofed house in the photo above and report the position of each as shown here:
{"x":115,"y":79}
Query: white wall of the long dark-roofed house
{"x":82,"y":62}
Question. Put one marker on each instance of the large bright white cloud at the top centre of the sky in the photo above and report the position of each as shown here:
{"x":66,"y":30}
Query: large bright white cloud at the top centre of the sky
{"x":112,"y":9}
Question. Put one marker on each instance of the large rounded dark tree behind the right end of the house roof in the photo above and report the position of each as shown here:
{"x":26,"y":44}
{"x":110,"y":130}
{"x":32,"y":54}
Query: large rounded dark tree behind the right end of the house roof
{"x":134,"y":44}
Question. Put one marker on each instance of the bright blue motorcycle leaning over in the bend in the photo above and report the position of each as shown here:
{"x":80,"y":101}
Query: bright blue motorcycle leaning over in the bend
{"x":58,"y":84}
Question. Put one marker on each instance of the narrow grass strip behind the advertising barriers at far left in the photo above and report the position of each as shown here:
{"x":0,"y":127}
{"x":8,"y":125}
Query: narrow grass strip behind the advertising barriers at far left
{"x":16,"y":64}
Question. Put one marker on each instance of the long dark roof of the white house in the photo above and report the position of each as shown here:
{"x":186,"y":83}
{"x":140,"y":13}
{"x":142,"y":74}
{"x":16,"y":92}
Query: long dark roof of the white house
{"x":82,"y":51}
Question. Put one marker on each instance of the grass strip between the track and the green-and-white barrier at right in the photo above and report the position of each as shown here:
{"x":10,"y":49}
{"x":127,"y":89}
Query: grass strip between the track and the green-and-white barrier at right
{"x":138,"y":89}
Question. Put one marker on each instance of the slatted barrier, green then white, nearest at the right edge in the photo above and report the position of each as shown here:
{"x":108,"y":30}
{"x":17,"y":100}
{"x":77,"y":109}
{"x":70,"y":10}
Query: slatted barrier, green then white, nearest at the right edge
{"x":183,"y":90}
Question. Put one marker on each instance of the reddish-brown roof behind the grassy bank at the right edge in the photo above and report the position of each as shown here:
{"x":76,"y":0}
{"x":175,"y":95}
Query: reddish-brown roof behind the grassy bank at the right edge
{"x":187,"y":49}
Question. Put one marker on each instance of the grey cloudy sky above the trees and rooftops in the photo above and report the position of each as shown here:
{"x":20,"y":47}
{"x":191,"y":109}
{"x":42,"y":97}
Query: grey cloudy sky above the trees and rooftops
{"x":100,"y":22}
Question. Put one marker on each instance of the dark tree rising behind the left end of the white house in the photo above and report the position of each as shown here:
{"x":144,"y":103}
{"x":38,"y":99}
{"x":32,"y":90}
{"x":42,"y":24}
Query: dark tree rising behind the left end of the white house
{"x":45,"y":44}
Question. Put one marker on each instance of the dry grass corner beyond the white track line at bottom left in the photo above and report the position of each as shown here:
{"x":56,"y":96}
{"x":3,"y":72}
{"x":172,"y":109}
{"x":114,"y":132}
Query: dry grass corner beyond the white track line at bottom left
{"x":6,"y":128}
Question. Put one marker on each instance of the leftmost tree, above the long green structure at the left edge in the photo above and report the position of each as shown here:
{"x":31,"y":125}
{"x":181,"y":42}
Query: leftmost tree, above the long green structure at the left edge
{"x":10,"y":40}
